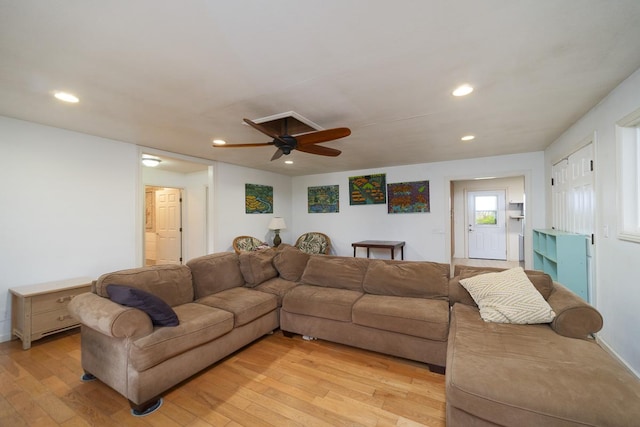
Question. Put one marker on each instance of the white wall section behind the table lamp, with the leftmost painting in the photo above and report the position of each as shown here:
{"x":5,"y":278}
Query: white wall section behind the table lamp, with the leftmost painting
{"x":231,"y":220}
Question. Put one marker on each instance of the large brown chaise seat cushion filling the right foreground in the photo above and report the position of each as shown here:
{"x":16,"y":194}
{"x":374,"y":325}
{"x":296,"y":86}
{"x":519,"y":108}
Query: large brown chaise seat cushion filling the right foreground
{"x":528,"y":375}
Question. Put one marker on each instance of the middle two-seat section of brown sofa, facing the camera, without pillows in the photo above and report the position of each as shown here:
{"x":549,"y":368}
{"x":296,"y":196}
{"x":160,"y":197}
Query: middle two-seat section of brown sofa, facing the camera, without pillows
{"x":393,"y":307}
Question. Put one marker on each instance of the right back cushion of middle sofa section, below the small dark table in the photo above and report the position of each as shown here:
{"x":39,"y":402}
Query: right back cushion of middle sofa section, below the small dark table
{"x":419,"y":279}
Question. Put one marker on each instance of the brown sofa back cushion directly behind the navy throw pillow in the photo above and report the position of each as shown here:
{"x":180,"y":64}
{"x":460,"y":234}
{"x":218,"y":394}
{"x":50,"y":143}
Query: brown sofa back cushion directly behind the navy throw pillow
{"x":170,"y":282}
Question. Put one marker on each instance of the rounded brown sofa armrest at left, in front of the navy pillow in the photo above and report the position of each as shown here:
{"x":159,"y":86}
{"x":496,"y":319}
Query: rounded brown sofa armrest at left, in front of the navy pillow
{"x":108,"y":317}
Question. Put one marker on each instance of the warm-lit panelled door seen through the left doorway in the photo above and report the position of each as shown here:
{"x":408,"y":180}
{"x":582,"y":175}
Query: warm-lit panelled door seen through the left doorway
{"x":169,"y":226}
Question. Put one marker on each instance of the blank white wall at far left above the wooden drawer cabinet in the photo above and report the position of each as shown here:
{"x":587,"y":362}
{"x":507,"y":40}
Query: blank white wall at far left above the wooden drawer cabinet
{"x":68,"y":207}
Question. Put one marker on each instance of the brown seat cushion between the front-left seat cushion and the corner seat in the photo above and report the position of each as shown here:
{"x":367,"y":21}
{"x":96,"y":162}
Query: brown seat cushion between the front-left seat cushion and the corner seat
{"x":245,"y":304}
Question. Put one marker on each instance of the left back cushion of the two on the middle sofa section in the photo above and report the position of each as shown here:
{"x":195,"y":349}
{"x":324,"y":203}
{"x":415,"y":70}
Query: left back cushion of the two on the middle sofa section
{"x":335,"y":272}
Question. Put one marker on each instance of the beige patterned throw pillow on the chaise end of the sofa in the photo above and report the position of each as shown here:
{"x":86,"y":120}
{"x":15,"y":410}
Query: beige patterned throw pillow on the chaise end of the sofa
{"x":508,"y":297}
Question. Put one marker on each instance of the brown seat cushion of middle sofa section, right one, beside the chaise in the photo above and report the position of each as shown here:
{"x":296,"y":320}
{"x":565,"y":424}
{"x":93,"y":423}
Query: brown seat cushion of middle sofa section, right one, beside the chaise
{"x":419,"y":317}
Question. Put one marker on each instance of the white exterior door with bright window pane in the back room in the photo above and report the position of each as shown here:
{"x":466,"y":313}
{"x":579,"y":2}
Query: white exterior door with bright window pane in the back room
{"x":486,"y":219}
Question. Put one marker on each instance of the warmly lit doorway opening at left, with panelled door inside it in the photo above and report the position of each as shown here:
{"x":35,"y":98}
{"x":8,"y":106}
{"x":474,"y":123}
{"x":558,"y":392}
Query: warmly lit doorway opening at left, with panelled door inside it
{"x":163,"y":225}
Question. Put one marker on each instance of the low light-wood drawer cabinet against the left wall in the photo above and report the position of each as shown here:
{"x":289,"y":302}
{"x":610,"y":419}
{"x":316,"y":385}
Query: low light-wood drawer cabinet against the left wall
{"x":41,"y":310}
